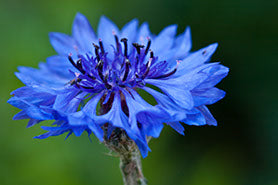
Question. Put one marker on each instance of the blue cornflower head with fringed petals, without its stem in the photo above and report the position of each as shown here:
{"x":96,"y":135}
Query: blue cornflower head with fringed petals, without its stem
{"x":94,"y":81}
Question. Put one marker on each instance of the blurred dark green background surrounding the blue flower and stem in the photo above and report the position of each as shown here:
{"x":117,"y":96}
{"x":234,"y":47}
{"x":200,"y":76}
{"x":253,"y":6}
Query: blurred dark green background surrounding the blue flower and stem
{"x":242,"y":150}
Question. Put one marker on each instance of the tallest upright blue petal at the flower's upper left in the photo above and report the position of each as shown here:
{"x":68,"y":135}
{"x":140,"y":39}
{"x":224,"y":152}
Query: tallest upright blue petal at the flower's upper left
{"x":83,"y":33}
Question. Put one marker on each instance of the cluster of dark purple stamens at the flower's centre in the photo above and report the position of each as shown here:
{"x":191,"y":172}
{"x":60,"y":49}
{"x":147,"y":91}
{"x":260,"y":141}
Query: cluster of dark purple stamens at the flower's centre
{"x":124,"y":70}
